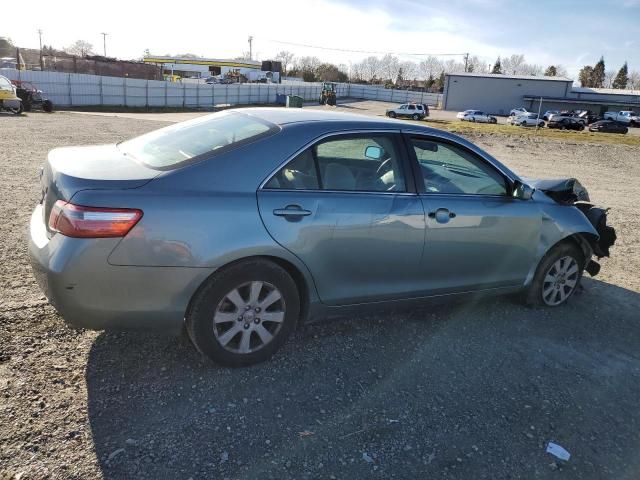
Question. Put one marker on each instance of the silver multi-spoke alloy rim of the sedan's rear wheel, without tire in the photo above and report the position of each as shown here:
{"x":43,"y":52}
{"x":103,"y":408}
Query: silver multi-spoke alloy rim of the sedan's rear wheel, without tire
{"x":249,"y":317}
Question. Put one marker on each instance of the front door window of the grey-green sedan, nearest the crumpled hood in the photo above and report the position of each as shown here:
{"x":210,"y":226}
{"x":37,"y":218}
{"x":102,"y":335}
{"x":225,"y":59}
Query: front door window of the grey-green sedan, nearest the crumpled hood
{"x":449,"y":169}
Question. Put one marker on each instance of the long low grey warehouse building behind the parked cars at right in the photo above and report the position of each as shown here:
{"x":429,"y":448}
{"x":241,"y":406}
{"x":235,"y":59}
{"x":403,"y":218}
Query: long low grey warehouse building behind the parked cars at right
{"x":498,"y":94}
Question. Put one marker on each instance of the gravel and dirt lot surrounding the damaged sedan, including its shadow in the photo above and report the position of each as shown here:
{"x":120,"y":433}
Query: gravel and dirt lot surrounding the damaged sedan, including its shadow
{"x":464,"y":391}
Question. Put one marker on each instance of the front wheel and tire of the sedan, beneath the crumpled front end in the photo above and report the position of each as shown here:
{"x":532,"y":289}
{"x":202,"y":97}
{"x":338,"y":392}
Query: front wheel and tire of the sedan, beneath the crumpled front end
{"x":542,"y":292}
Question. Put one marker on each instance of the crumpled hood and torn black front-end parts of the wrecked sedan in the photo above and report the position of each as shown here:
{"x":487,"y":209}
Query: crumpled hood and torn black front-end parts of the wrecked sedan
{"x":570,"y":192}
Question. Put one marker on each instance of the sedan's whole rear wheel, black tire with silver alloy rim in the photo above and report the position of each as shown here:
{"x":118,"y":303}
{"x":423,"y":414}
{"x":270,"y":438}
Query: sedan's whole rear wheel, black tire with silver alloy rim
{"x":213,"y":317}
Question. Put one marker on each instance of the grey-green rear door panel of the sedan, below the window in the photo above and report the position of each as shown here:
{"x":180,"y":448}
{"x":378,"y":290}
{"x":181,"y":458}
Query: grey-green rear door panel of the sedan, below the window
{"x":358,"y":246}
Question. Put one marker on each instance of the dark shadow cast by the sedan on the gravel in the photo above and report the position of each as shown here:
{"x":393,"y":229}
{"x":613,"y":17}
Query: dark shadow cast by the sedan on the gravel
{"x":472,"y":389}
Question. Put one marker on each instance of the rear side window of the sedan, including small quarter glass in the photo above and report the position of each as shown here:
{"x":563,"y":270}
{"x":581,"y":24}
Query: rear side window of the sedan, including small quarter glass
{"x":358,"y":163}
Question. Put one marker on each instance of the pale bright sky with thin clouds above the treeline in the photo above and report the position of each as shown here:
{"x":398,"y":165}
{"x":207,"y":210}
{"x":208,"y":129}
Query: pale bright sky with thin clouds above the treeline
{"x":571,"y":33}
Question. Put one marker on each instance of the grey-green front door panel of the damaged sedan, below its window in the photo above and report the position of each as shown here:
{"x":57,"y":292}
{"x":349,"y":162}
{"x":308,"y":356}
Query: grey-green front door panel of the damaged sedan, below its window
{"x":476,"y":242}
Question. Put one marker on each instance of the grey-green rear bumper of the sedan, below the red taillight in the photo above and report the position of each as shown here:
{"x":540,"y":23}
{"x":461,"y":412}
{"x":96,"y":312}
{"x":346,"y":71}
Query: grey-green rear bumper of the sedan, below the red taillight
{"x":90,"y":293}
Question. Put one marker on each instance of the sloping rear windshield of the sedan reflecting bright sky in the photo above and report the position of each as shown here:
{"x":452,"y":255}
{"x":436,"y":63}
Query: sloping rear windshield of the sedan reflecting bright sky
{"x":186,"y":142}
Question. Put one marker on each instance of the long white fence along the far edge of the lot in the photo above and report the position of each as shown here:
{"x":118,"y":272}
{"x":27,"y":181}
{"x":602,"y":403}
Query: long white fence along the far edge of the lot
{"x":73,"y":89}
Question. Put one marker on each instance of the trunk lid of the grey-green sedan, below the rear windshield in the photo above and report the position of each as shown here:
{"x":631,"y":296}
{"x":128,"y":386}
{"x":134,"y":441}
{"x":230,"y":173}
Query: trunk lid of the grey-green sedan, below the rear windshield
{"x":71,"y":169}
